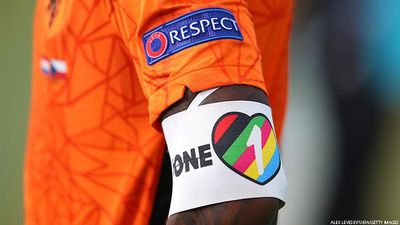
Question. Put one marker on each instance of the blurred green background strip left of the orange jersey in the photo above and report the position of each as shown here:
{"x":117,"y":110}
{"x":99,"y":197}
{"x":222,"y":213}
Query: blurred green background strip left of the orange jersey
{"x":15,"y":64}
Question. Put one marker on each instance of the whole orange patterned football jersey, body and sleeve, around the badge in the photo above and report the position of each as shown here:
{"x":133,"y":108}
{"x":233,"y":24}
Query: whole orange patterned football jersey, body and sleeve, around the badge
{"x":94,"y":148}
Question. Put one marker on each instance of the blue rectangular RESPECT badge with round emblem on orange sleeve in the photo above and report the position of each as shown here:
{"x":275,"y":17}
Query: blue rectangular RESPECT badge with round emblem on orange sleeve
{"x":191,"y":29}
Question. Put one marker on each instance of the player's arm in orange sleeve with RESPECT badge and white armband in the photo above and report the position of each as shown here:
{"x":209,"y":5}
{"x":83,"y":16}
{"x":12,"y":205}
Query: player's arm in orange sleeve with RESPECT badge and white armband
{"x":223,"y":148}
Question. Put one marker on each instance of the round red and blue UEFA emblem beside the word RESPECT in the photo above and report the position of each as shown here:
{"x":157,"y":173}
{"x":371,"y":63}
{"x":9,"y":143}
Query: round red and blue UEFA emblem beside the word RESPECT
{"x":156,"y":45}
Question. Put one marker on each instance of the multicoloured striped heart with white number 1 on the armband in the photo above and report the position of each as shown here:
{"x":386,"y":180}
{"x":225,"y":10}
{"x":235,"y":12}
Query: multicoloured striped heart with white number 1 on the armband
{"x":247,"y":145}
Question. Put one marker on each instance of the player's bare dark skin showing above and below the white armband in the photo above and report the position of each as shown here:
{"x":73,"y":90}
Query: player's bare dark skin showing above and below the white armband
{"x":258,"y":211}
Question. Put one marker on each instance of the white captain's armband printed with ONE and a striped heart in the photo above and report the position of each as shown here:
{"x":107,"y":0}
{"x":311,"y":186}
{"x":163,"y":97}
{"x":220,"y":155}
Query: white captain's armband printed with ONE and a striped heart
{"x":222,"y":152}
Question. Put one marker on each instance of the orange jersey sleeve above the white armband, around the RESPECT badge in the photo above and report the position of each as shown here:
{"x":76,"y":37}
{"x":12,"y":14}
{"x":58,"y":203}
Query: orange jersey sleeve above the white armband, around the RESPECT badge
{"x":198,"y":67}
